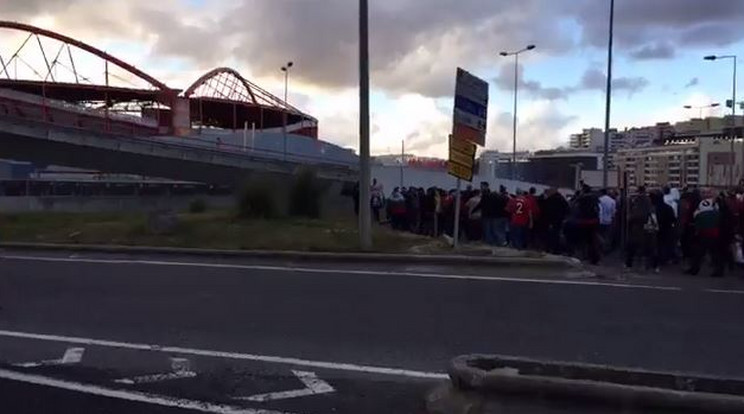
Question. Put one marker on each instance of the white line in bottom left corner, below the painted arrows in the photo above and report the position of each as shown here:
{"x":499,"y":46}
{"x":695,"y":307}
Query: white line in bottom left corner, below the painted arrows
{"x":130,"y":395}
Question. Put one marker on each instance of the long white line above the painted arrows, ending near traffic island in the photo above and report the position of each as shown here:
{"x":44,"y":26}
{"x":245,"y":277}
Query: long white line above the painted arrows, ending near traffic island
{"x":336,"y":366}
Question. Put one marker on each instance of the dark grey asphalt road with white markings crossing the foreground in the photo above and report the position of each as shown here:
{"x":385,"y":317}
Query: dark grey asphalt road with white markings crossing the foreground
{"x":377,"y":336}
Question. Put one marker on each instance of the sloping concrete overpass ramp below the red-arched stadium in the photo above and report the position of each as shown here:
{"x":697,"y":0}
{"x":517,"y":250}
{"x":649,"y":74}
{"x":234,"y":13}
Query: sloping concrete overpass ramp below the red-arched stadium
{"x":44,"y":143}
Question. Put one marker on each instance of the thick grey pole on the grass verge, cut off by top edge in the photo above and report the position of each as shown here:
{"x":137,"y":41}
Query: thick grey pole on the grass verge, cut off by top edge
{"x":365,"y":212}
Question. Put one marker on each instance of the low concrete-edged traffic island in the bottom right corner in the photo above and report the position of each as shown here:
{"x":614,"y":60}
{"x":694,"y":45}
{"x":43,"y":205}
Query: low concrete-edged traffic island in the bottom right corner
{"x":496,"y":384}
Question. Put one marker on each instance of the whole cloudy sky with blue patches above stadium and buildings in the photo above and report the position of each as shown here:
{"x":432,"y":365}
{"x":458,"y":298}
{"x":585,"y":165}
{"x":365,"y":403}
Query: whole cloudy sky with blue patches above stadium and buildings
{"x":416,"y":46}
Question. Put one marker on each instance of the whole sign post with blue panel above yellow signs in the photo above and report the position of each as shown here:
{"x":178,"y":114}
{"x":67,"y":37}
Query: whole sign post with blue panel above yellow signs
{"x":470,"y":118}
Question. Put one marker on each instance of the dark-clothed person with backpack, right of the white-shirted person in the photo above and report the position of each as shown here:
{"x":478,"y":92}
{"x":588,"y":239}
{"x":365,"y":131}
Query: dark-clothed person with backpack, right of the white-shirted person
{"x":643,"y":229}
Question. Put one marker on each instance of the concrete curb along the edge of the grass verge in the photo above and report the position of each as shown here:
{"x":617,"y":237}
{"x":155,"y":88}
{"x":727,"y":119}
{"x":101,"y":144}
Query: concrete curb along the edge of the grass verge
{"x":503,"y":261}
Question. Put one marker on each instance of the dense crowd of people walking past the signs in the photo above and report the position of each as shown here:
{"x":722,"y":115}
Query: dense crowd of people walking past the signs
{"x":662,"y":227}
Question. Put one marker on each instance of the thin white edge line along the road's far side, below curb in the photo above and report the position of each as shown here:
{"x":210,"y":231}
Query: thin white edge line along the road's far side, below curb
{"x":341,"y":271}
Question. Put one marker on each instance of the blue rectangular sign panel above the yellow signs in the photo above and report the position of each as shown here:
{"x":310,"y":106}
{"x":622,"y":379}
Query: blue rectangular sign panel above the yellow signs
{"x":471,"y":108}
